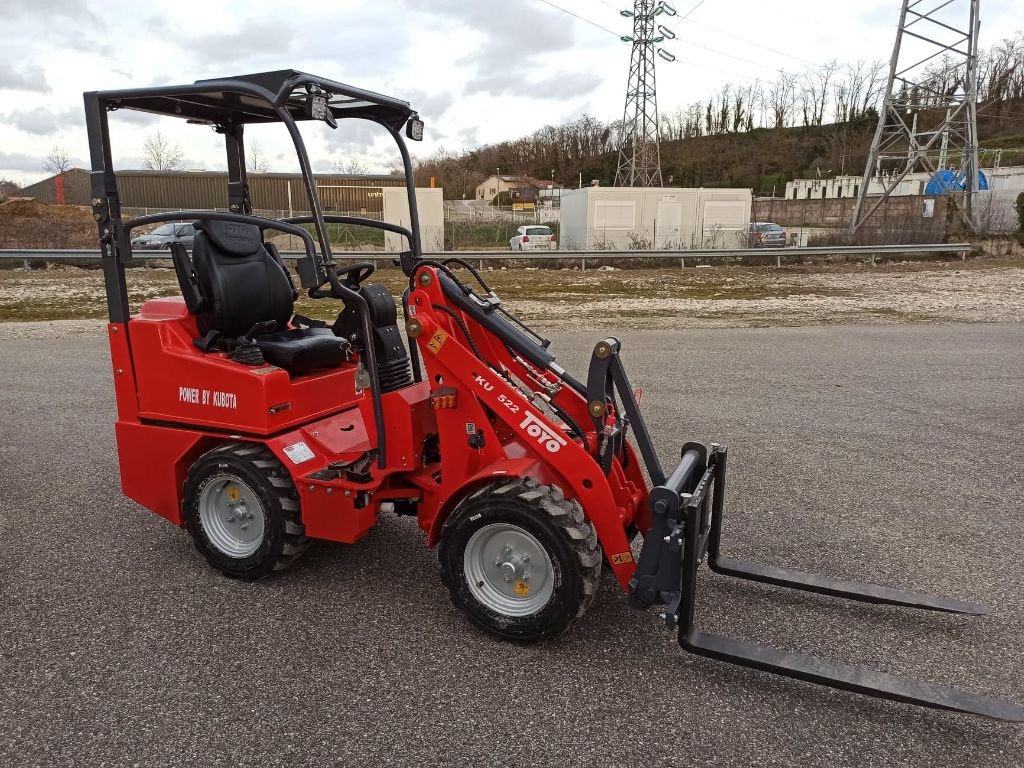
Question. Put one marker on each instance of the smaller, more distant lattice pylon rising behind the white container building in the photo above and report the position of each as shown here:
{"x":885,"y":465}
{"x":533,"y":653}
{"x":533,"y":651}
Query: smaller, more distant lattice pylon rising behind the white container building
{"x":639,"y":156}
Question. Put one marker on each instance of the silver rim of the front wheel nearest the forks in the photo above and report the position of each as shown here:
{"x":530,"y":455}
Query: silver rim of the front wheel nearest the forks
{"x":508,"y":571}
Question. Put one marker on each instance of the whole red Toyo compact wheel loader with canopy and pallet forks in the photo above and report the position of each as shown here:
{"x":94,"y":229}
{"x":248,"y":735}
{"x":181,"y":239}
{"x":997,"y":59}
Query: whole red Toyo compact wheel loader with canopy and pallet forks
{"x":259,"y":430}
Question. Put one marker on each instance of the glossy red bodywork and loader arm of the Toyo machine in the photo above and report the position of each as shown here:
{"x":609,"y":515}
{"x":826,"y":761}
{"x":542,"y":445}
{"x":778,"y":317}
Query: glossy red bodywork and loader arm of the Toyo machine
{"x":176,"y":403}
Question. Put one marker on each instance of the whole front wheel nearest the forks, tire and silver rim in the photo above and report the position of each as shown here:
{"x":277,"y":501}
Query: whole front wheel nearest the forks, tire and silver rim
{"x":521,"y":560}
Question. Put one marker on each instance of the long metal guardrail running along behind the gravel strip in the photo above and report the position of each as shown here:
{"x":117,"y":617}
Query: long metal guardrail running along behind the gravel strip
{"x":871,"y":252}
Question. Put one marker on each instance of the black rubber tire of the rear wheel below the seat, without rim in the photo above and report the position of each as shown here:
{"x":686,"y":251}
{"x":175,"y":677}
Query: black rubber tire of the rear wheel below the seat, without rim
{"x":254,"y":466}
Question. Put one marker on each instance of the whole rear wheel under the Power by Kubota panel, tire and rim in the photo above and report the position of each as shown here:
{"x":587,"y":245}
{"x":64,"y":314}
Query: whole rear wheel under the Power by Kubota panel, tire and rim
{"x":242,"y":510}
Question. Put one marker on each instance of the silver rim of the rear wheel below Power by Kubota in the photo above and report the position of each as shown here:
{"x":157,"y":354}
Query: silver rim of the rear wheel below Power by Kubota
{"x":232,"y":517}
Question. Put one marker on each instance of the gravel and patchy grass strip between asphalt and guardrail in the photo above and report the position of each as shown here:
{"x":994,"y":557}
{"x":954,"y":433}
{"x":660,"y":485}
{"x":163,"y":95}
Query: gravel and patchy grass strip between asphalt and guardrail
{"x":985,"y":290}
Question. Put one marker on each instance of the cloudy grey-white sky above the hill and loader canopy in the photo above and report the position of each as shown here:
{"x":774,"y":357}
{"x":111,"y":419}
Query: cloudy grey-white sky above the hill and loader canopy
{"x":479,"y":71}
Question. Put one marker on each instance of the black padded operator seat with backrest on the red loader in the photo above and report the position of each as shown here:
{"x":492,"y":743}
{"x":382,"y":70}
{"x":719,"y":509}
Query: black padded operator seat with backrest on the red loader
{"x":242,"y":283}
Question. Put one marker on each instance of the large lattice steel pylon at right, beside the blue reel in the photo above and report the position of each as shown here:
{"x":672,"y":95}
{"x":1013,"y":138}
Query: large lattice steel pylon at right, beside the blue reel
{"x":908,"y":135}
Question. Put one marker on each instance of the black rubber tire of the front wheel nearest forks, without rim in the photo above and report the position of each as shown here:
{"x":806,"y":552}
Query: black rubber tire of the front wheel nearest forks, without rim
{"x":558,"y":525}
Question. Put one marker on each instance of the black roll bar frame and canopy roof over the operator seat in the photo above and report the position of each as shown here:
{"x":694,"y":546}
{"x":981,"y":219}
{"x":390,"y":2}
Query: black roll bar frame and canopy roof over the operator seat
{"x":229,"y":105}
